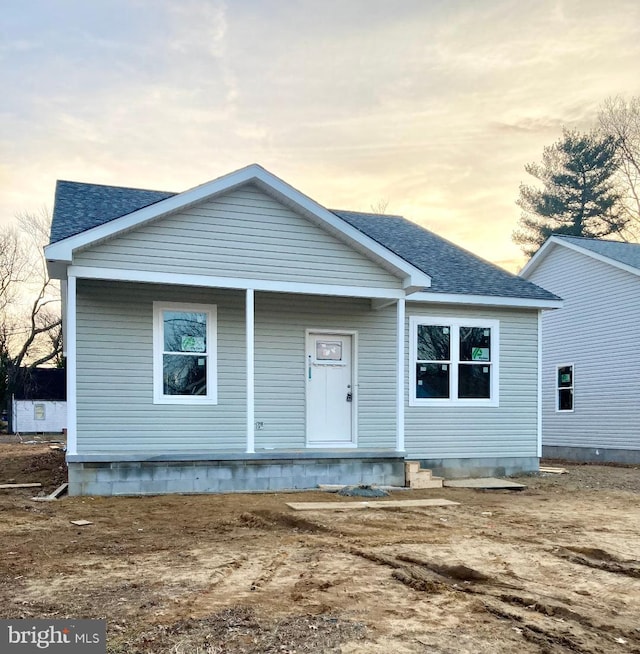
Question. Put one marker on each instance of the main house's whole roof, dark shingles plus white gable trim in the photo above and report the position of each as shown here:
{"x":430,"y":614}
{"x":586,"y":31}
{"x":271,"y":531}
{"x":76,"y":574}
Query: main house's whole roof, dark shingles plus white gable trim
{"x":87,"y":213}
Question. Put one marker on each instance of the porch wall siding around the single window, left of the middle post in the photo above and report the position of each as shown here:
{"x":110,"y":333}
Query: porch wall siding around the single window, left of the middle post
{"x":115,"y":373}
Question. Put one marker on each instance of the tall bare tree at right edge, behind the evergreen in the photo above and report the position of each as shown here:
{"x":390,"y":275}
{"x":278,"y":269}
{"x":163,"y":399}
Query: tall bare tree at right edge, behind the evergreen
{"x":620,"y":119}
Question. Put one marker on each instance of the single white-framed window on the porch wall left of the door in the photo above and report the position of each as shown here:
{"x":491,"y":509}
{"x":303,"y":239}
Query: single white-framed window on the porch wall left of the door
{"x":184,"y":342}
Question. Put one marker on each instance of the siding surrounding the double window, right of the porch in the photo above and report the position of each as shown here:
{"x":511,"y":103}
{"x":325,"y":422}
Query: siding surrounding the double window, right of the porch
{"x":509,"y":430}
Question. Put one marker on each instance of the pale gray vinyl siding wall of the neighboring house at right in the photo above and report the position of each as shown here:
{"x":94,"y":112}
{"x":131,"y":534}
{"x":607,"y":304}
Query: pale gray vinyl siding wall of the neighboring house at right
{"x":598,"y":331}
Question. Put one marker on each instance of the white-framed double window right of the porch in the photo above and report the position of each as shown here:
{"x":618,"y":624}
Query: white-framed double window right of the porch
{"x":454,"y":361}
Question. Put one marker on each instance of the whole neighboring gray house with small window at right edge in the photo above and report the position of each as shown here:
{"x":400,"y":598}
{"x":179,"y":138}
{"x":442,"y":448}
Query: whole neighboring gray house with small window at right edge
{"x":591,"y":349}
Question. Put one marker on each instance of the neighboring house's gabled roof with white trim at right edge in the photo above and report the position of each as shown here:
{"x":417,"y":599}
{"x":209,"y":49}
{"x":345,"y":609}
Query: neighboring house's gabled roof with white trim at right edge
{"x":619,"y":254}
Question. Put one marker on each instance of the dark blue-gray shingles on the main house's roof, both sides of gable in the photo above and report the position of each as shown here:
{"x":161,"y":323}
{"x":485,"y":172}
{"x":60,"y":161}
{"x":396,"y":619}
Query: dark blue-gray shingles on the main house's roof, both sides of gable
{"x":80,"y":206}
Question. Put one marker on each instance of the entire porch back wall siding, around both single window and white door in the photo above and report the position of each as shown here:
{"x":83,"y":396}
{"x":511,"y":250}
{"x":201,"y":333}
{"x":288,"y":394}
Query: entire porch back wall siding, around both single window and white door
{"x":115,"y":370}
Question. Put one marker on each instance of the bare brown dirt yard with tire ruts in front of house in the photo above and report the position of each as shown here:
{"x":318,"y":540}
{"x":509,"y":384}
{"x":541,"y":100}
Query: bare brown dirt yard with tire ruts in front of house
{"x":553,"y":568}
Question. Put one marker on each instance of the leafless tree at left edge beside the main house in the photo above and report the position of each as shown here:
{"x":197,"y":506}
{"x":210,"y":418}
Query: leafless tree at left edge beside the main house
{"x":30,"y":322}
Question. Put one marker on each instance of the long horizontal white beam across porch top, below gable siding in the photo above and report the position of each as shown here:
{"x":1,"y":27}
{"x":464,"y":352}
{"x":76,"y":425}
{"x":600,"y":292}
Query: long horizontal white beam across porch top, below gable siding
{"x":208,"y":281}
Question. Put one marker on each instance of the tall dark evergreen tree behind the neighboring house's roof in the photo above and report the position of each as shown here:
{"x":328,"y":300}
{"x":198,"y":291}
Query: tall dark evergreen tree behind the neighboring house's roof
{"x":578,"y":195}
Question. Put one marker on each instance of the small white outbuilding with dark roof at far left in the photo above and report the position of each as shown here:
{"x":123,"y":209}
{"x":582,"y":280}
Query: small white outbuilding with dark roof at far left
{"x":39,"y":403}
